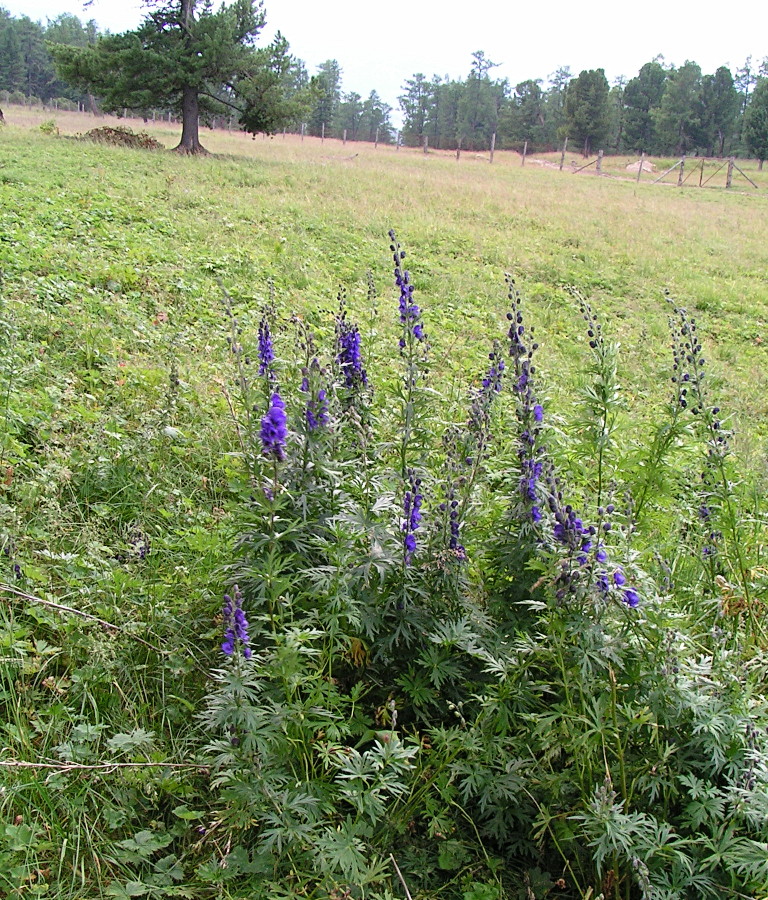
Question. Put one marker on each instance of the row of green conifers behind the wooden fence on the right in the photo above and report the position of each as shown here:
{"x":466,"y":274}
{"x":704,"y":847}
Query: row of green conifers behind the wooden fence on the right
{"x":662,"y":110}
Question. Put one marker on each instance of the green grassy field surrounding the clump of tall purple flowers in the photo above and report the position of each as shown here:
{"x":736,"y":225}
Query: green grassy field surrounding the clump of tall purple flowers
{"x":118,"y":435}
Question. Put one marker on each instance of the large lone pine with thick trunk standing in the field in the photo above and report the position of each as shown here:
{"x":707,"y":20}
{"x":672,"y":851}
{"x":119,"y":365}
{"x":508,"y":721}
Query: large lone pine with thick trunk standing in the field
{"x":184,"y":57}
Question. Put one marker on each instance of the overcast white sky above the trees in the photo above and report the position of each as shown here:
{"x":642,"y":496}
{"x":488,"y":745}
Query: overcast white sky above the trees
{"x":381,"y":43}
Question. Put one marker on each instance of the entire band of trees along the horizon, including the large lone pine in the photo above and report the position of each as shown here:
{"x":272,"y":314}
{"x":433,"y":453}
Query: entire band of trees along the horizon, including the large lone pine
{"x":663,"y":110}
